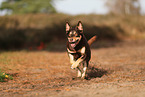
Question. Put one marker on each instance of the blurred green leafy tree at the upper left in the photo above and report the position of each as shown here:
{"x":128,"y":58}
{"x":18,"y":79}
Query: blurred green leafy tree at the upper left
{"x":28,"y":6}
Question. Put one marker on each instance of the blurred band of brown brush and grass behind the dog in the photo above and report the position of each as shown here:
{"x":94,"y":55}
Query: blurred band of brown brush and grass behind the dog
{"x":17,"y":31}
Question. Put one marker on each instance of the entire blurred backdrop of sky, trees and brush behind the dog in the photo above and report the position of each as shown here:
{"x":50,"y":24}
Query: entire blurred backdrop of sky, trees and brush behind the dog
{"x":38,"y":24}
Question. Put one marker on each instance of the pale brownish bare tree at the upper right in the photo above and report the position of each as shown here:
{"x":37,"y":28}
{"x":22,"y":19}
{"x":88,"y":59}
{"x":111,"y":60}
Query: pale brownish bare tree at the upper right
{"x":125,"y":7}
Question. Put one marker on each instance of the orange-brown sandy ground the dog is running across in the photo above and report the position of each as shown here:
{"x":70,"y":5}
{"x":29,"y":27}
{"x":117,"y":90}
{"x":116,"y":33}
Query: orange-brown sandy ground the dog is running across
{"x":116,"y":70}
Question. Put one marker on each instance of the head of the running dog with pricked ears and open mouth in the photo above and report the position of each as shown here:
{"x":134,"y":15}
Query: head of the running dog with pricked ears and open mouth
{"x":74,"y":34}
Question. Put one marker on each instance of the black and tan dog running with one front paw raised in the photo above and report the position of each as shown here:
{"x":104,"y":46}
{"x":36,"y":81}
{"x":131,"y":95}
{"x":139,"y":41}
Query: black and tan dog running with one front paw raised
{"x":78,"y":48}
